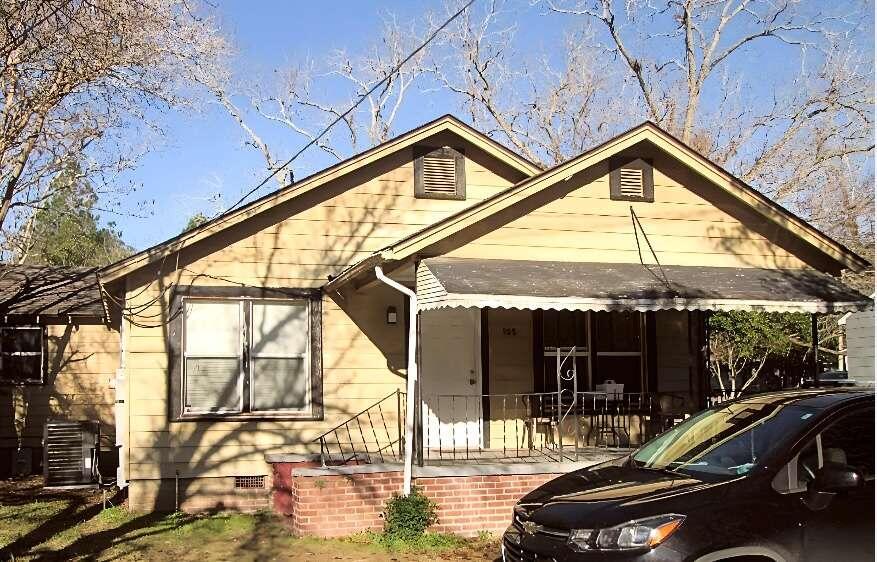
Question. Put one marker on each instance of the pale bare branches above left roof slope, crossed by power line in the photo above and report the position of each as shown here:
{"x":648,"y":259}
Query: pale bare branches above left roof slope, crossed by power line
{"x":295,"y":98}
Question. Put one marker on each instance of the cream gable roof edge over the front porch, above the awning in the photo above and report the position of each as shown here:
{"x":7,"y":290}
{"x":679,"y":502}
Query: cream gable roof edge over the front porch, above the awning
{"x":669,"y":144}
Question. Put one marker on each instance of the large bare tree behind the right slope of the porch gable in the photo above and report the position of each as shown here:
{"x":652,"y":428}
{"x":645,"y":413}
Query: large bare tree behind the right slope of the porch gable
{"x":680,"y":53}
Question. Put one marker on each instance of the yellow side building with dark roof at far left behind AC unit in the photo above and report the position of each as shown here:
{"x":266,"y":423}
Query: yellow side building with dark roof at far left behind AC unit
{"x":58,"y":358}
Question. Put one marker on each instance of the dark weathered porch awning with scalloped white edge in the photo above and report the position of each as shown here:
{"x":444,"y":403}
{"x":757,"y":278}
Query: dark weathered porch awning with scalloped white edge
{"x":458,"y":282}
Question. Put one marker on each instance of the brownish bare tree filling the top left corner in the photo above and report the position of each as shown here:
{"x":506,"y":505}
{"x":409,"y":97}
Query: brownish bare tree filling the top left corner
{"x":80,"y":79}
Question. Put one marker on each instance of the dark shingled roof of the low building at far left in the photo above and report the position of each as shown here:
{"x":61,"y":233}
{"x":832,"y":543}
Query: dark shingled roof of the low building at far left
{"x":51,"y":292}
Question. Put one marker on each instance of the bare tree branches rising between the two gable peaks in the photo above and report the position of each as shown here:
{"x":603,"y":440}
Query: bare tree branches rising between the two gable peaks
{"x":545,"y":113}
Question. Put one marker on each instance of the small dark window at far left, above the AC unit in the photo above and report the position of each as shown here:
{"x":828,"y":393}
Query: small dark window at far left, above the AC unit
{"x":21,"y":355}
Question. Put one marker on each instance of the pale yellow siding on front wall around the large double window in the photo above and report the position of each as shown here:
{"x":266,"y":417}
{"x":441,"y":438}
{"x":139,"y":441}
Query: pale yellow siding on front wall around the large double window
{"x":363,"y":356}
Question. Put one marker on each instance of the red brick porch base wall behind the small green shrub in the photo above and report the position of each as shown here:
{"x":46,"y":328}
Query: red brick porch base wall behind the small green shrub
{"x":341,"y":504}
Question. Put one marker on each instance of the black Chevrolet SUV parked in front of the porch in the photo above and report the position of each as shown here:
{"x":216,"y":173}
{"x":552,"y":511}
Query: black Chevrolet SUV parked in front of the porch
{"x":782,"y":476}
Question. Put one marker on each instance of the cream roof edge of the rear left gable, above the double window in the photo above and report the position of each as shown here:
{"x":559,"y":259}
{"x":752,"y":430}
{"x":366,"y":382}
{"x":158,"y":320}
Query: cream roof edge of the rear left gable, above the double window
{"x":446,"y":123}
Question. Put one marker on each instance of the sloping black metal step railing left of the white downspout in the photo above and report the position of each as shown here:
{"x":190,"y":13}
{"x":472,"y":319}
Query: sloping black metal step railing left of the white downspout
{"x":373,"y":435}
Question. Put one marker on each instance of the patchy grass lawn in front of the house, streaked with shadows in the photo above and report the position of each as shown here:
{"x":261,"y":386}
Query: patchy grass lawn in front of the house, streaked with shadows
{"x":37,"y":525}
